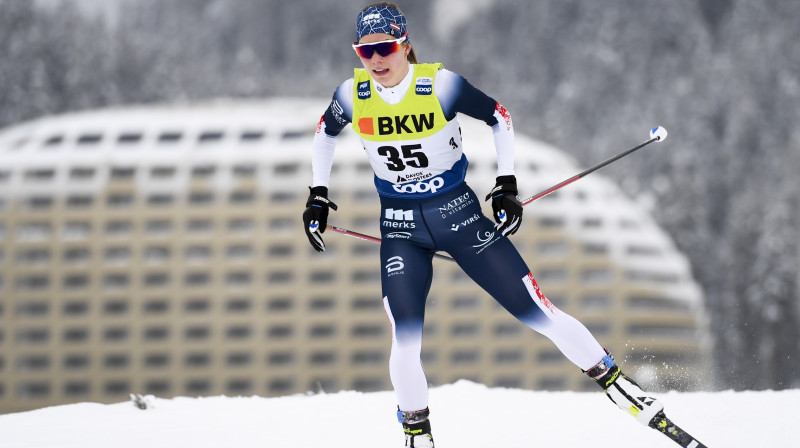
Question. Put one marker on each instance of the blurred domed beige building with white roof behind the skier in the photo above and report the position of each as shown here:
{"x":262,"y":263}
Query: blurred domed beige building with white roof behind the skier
{"x":160,"y":251}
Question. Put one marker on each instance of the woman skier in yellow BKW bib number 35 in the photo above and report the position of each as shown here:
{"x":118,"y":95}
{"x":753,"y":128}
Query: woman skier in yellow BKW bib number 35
{"x":405,"y":113}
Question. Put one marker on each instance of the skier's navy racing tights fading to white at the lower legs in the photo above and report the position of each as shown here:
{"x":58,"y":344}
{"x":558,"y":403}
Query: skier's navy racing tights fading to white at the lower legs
{"x":412,"y":230}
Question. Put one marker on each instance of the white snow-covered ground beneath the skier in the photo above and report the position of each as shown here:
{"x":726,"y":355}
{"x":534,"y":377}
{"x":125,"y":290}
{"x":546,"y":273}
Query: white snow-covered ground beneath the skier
{"x":462,"y":413}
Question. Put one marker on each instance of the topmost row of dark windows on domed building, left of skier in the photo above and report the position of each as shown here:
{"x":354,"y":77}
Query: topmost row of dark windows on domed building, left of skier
{"x":165,"y":138}
